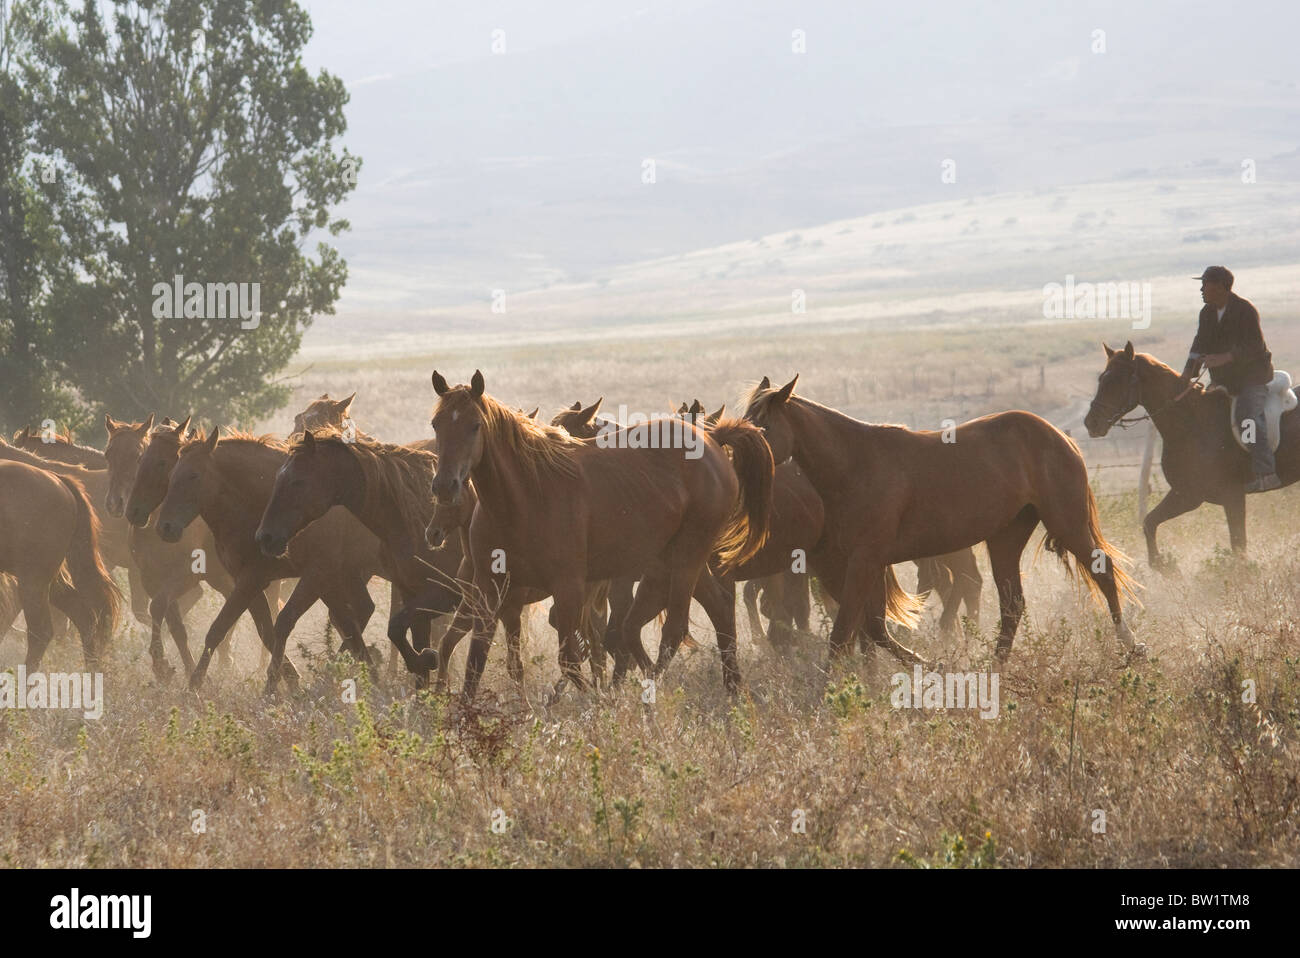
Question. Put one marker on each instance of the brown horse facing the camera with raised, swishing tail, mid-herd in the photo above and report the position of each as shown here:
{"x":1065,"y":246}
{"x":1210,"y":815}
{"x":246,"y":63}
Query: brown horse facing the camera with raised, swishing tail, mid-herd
{"x":556,"y":513}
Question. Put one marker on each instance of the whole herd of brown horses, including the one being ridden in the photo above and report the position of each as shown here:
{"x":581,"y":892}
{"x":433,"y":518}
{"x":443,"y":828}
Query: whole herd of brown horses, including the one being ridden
{"x":500,"y":511}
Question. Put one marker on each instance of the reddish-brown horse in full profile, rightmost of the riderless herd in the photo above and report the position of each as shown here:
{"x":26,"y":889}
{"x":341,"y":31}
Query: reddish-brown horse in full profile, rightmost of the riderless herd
{"x":894,"y":495}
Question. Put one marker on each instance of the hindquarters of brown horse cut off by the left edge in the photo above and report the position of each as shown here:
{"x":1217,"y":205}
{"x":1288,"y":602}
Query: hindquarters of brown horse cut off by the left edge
{"x":46,"y":526}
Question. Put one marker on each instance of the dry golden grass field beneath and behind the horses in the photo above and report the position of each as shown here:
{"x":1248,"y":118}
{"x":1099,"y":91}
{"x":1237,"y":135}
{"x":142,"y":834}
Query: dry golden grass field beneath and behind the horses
{"x":1182,"y":769}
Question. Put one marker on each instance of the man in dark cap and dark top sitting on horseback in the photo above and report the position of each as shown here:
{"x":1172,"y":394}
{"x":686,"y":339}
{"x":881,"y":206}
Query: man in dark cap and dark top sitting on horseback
{"x":1230,"y":344}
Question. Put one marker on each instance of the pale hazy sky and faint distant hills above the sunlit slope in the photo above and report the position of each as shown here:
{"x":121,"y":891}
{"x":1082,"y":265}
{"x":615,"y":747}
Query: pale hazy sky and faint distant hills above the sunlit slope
{"x":508,"y":145}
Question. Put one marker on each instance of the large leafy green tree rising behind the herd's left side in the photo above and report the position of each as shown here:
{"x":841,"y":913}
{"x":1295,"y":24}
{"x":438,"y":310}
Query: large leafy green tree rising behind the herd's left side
{"x":190,"y":142}
